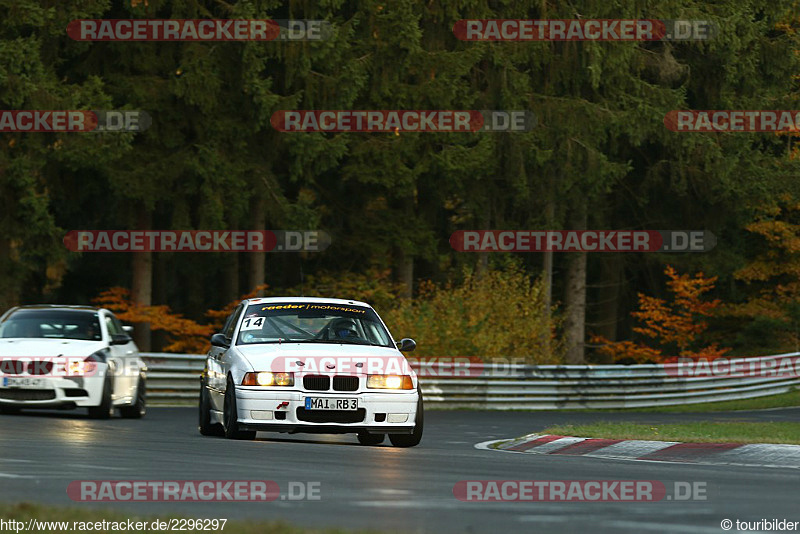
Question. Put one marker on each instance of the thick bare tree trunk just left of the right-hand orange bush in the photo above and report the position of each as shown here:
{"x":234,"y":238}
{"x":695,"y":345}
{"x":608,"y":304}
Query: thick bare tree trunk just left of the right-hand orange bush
{"x":575,"y":298}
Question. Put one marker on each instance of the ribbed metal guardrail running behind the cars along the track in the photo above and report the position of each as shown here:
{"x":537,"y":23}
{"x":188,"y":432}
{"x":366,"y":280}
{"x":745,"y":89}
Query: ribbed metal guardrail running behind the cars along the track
{"x":173,"y":379}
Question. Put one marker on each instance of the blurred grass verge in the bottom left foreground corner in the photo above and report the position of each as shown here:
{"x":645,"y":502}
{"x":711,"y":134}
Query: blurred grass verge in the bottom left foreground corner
{"x":25,"y":511}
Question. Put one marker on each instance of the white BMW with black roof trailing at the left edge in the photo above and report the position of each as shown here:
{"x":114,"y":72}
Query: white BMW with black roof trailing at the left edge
{"x":67,"y":357}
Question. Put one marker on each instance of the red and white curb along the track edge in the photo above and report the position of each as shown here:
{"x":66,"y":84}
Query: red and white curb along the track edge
{"x":754,"y":455}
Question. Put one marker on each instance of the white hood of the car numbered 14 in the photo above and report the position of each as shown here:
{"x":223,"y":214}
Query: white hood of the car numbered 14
{"x":325,"y":358}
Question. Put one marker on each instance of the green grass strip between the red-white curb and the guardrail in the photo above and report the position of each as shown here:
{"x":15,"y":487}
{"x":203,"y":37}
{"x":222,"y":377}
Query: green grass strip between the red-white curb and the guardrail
{"x":727,"y":432}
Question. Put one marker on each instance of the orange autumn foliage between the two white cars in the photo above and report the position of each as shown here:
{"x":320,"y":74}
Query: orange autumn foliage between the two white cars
{"x":185,"y":335}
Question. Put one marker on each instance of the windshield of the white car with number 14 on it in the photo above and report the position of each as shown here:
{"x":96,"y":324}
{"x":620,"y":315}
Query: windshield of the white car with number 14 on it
{"x":310,"y":322}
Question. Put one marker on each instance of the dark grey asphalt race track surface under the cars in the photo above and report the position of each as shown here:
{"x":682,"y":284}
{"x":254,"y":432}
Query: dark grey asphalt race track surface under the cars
{"x":383,"y":488}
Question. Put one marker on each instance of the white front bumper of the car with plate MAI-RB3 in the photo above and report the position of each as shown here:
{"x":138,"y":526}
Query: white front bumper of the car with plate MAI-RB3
{"x":386,"y":412}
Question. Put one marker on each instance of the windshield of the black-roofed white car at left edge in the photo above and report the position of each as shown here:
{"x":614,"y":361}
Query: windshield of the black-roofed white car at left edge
{"x":56,"y":324}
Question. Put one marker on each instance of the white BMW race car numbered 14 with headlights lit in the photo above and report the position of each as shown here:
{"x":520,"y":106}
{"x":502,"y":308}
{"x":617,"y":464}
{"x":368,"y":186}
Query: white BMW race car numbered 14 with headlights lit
{"x":317,"y":365}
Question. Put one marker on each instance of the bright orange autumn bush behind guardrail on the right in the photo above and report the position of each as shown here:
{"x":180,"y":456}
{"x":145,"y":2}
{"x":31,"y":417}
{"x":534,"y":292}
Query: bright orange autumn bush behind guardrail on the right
{"x":676,"y":325}
